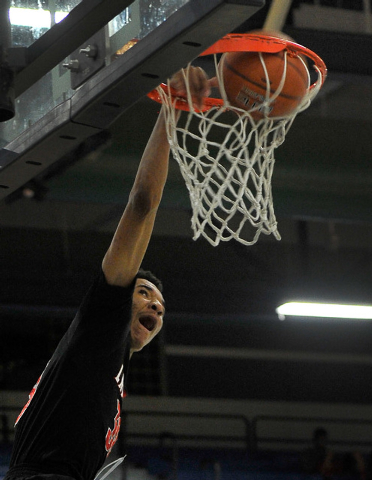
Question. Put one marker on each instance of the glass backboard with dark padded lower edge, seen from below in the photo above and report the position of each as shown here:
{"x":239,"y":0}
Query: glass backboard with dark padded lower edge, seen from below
{"x":76,"y":73}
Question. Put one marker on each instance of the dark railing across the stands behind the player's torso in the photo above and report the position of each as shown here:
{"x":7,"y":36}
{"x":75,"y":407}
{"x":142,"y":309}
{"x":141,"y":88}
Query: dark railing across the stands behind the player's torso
{"x":232,"y":430}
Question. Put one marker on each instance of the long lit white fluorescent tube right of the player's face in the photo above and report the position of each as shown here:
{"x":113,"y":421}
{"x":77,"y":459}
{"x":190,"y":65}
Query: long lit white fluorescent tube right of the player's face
{"x":328,"y":310}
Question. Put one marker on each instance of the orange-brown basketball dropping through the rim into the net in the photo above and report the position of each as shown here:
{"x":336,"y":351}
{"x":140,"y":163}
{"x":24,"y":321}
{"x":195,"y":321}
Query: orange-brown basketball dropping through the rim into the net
{"x":245,"y":81}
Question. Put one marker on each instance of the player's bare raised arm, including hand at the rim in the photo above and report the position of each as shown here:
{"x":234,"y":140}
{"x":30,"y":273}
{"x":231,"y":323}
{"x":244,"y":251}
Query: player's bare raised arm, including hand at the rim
{"x":128,"y":247}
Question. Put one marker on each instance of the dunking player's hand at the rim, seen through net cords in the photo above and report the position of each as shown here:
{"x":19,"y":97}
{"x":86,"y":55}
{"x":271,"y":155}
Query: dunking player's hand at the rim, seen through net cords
{"x":199,"y":83}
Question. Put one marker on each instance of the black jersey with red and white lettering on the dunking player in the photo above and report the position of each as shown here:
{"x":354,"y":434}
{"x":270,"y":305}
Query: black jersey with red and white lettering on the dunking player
{"x":72,"y":418}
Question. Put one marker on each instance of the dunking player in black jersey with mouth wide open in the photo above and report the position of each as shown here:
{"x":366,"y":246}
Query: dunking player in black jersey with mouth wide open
{"x":72,"y":418}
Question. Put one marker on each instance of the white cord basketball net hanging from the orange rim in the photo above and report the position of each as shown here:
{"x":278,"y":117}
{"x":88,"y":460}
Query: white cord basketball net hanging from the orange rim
{"x":226,"y":158}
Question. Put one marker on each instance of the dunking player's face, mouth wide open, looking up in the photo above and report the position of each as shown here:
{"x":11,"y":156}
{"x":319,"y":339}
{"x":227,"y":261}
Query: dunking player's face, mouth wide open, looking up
{"x":147,"y":313}
